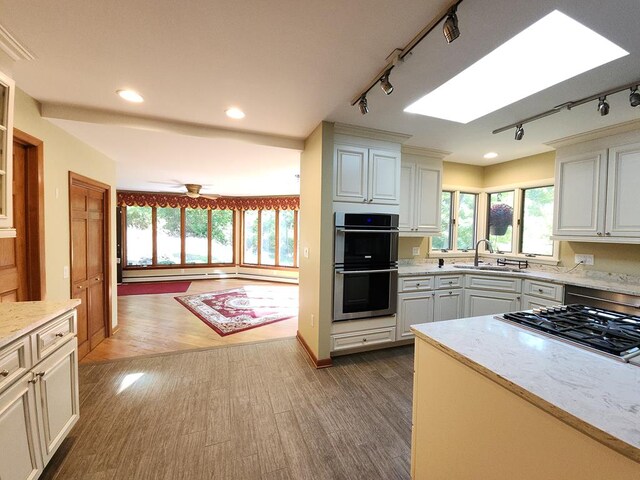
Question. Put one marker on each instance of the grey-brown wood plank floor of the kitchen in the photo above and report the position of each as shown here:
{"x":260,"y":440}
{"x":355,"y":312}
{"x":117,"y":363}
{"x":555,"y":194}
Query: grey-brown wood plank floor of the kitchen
{"x":256,"y":411}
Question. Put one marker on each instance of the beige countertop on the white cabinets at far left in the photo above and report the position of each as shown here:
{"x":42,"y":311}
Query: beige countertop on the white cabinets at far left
{"x":18,"y":318}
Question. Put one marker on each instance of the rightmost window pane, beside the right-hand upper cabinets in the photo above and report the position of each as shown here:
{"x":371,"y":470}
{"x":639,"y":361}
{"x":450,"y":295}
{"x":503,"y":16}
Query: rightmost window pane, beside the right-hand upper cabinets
{"x":537,"y":221}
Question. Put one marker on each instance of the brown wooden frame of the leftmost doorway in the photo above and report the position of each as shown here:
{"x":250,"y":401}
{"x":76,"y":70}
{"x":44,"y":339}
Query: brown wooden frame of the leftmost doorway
{"x":34,"y":236}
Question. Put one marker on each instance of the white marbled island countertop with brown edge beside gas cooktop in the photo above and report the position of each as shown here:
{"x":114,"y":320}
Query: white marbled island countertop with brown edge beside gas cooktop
{"x":595,"y":394}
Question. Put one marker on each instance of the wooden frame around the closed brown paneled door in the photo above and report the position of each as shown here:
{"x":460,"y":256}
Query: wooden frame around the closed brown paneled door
{"x":86,"y":182}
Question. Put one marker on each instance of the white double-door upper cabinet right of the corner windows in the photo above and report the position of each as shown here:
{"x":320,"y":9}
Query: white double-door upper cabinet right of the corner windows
{"x":597,"y":184}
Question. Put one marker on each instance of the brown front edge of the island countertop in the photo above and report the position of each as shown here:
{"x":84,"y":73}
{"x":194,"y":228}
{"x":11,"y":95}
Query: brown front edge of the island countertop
{"x":601,"y":436}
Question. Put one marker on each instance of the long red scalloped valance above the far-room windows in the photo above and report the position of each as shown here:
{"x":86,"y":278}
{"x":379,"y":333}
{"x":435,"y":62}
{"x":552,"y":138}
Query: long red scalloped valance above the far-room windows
{"x":150,"y":199}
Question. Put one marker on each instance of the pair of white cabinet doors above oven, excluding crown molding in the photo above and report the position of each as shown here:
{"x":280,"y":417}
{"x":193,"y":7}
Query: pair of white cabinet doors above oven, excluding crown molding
{"x":366,"y":175}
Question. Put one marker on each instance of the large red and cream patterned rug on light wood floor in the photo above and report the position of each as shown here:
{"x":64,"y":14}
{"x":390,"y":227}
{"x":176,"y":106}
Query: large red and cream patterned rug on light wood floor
{"x":239,"y":309}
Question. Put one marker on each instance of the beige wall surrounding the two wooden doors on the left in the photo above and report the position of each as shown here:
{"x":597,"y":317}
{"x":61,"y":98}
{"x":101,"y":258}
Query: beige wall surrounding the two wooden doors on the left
{"x":64,"y":153}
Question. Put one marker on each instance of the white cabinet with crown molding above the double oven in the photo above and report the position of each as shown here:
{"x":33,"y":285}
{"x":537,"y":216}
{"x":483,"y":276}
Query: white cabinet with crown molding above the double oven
{"x":366,"y":166}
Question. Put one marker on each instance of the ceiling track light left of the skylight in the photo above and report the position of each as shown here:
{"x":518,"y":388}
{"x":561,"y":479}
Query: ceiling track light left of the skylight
{"x":449,"y":29}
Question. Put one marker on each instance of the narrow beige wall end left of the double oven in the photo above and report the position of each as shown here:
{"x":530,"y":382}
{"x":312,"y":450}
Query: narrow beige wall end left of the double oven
{"x":316,"y":235}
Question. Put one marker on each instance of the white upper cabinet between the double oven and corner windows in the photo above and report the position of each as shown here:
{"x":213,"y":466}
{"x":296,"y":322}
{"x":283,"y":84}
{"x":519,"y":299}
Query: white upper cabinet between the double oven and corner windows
{"x":420,"y":191}
